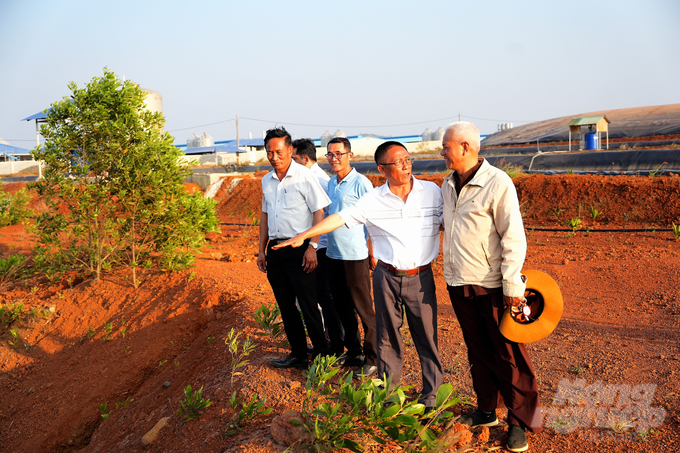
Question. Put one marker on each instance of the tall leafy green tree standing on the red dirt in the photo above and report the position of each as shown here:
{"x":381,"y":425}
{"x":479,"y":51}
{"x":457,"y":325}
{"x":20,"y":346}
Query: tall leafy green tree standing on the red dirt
{"x":113,"y":185}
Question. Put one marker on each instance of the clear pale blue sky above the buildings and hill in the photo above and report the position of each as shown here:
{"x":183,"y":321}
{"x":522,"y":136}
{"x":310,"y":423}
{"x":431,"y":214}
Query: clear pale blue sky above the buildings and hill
{"x":388,"y":68}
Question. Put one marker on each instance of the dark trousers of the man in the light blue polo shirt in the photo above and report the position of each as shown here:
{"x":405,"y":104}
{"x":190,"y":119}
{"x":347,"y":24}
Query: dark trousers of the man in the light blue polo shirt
{"x":351,"y":288}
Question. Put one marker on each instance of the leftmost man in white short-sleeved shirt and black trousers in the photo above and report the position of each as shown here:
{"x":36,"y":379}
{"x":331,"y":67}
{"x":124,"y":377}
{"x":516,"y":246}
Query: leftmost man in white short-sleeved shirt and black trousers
{"x":292,"y":201}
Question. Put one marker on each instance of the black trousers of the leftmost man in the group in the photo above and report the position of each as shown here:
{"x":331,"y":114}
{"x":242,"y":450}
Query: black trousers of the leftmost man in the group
{"x":289,"y":281}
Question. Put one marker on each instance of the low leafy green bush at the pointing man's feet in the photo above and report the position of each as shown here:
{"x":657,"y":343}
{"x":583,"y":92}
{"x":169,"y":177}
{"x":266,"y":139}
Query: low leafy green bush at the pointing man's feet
{"x":346,"y":414}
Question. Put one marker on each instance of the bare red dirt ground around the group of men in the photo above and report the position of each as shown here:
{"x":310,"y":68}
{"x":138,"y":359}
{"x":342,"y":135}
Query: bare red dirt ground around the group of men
{"x":620,"y":327}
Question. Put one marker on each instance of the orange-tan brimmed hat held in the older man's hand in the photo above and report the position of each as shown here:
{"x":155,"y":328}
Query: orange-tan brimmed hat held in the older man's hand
{"x":544,"y":299}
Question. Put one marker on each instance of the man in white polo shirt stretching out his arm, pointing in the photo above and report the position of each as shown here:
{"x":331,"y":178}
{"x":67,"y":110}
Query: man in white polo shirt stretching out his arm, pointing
{"x":403,"y":218}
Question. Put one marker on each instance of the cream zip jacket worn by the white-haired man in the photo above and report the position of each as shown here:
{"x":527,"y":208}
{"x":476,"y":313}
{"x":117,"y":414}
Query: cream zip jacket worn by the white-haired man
{"x":484,"y":240}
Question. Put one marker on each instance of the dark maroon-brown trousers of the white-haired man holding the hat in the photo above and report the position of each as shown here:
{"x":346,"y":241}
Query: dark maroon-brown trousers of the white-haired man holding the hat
{"x":501,"y":369}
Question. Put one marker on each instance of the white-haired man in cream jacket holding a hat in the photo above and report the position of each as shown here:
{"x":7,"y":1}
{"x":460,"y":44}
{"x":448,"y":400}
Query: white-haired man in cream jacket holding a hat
{"x":484,"y":250}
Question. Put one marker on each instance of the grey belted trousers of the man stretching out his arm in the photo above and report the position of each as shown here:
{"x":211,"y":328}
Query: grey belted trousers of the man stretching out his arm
{"x":415,"y":295}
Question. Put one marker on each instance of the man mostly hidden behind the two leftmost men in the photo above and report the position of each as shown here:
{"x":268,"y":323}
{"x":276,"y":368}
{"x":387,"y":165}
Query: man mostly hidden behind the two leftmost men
{"x":304,"y":153}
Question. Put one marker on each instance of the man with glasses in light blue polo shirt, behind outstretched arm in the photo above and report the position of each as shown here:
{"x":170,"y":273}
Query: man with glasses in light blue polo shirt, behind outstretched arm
{"x":349,"y":262}
